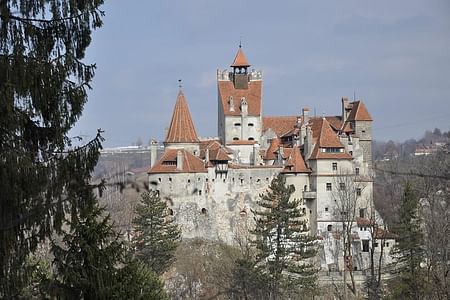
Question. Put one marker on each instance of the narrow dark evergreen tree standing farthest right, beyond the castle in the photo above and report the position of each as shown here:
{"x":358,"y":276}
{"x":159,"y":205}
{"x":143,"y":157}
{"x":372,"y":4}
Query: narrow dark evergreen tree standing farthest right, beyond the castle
{"x":409,"y":250}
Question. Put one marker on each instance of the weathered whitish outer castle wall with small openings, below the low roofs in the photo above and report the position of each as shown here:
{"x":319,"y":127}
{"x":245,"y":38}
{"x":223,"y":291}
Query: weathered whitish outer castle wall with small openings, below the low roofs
{"x":215,"y":208}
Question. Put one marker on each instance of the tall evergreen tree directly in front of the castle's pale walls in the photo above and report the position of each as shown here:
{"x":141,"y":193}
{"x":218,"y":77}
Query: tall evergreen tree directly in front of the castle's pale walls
{"x":283,"y":245}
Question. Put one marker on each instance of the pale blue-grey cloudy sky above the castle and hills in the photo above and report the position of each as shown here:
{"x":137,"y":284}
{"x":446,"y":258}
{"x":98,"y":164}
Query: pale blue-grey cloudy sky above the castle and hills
{"x":393,"y":55}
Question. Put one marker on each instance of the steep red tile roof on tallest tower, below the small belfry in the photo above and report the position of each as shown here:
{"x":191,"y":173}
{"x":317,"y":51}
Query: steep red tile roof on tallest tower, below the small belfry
{"x":252,"y":96}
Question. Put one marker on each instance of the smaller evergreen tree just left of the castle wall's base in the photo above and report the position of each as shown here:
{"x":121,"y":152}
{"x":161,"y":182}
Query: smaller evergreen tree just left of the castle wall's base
{"x":156,"y":235}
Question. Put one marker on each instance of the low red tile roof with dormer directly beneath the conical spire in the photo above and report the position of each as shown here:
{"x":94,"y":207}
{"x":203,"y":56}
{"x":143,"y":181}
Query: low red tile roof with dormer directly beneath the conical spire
{"x":168,"y":163}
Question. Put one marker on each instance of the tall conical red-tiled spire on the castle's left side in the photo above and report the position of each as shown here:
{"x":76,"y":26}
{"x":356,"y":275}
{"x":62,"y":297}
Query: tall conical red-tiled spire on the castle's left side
{"x":181,"y":128}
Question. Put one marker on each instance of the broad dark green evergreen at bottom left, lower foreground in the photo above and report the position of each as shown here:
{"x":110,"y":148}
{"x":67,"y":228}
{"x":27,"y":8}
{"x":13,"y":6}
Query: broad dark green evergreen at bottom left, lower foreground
{"x":93,"y":263}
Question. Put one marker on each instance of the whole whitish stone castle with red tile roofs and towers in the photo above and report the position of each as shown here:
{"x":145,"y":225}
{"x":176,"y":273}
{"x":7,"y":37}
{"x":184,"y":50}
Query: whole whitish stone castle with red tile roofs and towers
{"x":211,"y":185}
